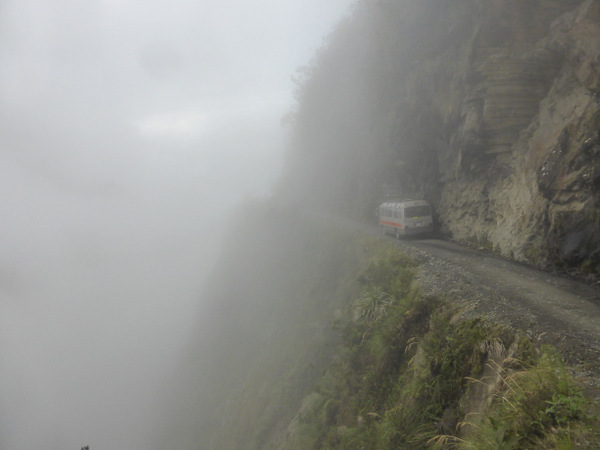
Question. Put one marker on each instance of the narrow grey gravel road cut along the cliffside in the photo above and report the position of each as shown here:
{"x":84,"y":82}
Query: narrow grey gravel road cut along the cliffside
{"x":549,"y":308}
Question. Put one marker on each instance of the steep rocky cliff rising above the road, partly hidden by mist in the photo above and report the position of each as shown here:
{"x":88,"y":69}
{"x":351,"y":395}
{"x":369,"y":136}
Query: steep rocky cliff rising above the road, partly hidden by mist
{"x":491,"y":109}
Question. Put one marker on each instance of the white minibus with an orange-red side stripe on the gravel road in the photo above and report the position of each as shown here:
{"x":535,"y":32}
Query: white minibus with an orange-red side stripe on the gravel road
{"x":406,"y":218}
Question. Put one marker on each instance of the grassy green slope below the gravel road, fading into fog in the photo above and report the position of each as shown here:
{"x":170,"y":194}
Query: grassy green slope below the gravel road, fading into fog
{"x":320,"y":338}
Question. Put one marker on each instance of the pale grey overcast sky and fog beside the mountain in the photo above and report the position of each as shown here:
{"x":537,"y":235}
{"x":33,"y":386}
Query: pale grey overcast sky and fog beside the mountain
{"x":128,"y":129}
